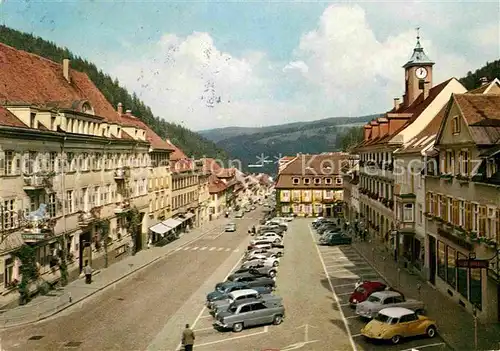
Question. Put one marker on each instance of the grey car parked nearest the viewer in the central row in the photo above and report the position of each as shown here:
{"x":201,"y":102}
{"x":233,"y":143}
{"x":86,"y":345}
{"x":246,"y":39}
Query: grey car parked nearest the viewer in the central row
{"x":247,"y":314}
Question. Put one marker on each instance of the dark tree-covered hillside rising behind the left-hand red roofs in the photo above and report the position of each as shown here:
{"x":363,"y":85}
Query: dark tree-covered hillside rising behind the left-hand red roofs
{"x":193,"y":144}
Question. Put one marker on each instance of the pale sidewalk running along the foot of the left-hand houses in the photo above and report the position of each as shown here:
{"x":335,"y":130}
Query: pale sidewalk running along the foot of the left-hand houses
{"x":42,"y":307}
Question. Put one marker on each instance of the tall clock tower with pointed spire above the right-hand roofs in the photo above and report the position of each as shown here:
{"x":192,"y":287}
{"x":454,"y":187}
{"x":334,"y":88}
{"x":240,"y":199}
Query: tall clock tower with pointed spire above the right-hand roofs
{"x":418,"y":74}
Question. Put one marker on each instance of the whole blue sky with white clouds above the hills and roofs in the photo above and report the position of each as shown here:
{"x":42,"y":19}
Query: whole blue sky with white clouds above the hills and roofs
{"x":212,"y":64}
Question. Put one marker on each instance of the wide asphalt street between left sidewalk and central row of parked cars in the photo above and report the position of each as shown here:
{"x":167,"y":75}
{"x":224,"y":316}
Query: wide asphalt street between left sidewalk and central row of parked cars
{"x":130,"y":315}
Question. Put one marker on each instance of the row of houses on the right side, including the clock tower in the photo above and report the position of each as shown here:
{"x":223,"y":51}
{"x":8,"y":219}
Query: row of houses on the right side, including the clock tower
{"x":425,"y":183}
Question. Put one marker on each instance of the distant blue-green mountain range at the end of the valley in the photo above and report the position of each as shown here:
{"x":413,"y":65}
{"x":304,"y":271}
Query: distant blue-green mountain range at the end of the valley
{"x":258,"y":148}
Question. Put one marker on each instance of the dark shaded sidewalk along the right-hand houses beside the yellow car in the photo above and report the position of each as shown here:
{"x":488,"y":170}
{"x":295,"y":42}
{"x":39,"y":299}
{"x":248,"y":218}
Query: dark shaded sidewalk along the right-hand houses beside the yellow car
{"x":455,"y":325}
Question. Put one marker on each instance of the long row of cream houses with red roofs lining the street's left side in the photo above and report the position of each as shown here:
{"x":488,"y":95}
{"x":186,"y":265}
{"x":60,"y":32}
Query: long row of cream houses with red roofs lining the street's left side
{"x":77,"y":174}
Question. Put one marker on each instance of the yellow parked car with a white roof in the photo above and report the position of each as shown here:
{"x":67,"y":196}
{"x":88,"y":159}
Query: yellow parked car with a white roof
{"x":396,"y":323}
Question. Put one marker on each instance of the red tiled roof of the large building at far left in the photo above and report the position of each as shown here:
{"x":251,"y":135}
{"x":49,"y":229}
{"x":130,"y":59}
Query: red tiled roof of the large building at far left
{"x":30,"y":79}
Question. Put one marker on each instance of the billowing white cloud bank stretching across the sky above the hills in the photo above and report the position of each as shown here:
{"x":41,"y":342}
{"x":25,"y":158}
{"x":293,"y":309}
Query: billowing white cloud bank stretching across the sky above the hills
{"x":343,"y":67}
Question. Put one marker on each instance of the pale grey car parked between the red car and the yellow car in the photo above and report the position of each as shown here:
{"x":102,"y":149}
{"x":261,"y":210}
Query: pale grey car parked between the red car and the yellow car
{"x":384,"y":299}
